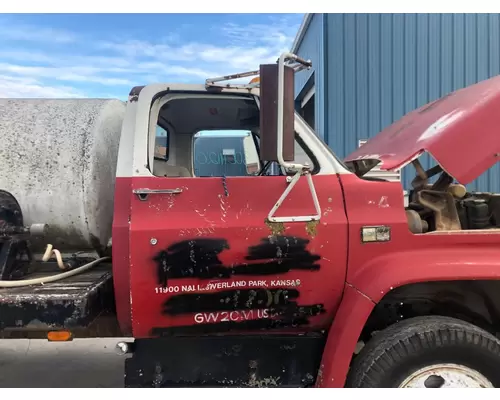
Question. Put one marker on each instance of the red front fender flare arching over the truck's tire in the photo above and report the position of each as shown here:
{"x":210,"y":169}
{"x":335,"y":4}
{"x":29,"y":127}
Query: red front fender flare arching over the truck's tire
{"x":372,"y":281}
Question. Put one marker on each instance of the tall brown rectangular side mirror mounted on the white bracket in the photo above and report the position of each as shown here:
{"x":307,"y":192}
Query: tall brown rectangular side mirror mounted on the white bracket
{"x":269,"y":100}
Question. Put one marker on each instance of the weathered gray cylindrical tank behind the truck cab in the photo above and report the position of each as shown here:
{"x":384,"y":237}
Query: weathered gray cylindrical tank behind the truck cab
{"x":58,"y":159}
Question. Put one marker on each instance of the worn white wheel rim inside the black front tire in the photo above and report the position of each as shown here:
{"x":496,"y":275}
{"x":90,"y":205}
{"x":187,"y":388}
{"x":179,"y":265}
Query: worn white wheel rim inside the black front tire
{"x":446,"y":376}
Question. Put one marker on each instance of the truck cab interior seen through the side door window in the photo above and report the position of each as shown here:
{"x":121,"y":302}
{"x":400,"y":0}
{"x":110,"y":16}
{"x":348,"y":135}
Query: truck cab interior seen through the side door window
{"x":181,"y":120}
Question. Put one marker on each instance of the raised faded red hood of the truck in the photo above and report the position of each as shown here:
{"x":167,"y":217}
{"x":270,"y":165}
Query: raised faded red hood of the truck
{"x":461,"y":131}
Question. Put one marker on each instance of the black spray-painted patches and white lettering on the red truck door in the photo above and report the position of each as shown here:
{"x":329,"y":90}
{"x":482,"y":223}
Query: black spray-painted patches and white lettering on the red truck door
{"x":230,"y":303}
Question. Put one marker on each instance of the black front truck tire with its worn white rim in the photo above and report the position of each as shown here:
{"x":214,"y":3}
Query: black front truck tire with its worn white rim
{"x":428,"y":352}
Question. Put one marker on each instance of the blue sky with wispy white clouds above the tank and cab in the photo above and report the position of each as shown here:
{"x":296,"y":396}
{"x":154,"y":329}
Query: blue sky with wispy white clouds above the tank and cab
{"x":105,"y":55}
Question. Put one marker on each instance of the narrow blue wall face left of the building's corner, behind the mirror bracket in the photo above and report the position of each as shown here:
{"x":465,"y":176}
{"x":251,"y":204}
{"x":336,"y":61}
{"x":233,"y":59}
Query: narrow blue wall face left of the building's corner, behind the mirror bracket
{"x":312,"y":48}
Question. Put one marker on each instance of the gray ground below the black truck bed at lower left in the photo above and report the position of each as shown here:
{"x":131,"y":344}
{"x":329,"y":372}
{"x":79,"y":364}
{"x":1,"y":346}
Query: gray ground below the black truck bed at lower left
{"x":83,"y":363}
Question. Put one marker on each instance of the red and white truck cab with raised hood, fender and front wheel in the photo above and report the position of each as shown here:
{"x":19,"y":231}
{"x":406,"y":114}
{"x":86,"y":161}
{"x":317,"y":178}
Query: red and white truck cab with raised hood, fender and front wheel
{"x":303,"y":271}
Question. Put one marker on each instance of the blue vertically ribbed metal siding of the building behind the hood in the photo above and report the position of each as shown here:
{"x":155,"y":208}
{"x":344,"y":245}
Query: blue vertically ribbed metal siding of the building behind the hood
{"x":381,"y":66}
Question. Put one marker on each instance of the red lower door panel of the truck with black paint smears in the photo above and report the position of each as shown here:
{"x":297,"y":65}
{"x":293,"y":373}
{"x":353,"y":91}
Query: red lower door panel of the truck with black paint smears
{"x":205,"y":259}
